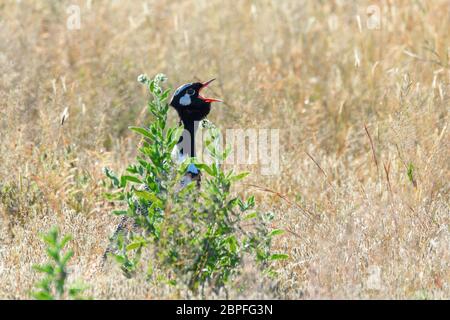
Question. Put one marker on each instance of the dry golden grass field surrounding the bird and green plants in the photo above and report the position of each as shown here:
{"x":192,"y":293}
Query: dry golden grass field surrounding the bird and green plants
{"x":356,"y":108}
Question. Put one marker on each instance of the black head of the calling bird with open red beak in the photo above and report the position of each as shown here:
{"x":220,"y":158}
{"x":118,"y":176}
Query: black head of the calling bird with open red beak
{"x":190,"y":104}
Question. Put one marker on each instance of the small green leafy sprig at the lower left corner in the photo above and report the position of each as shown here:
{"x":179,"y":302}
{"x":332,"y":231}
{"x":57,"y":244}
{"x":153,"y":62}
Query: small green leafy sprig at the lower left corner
{"x":53,"y":286}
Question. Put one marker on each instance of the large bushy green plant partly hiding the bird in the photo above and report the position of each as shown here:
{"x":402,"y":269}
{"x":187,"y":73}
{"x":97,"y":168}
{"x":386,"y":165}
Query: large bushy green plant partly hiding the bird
{"x":196,"y":236}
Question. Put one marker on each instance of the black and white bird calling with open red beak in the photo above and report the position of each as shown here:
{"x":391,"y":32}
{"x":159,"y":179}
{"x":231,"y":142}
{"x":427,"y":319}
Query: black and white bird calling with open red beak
{"x":192,"y":108}
